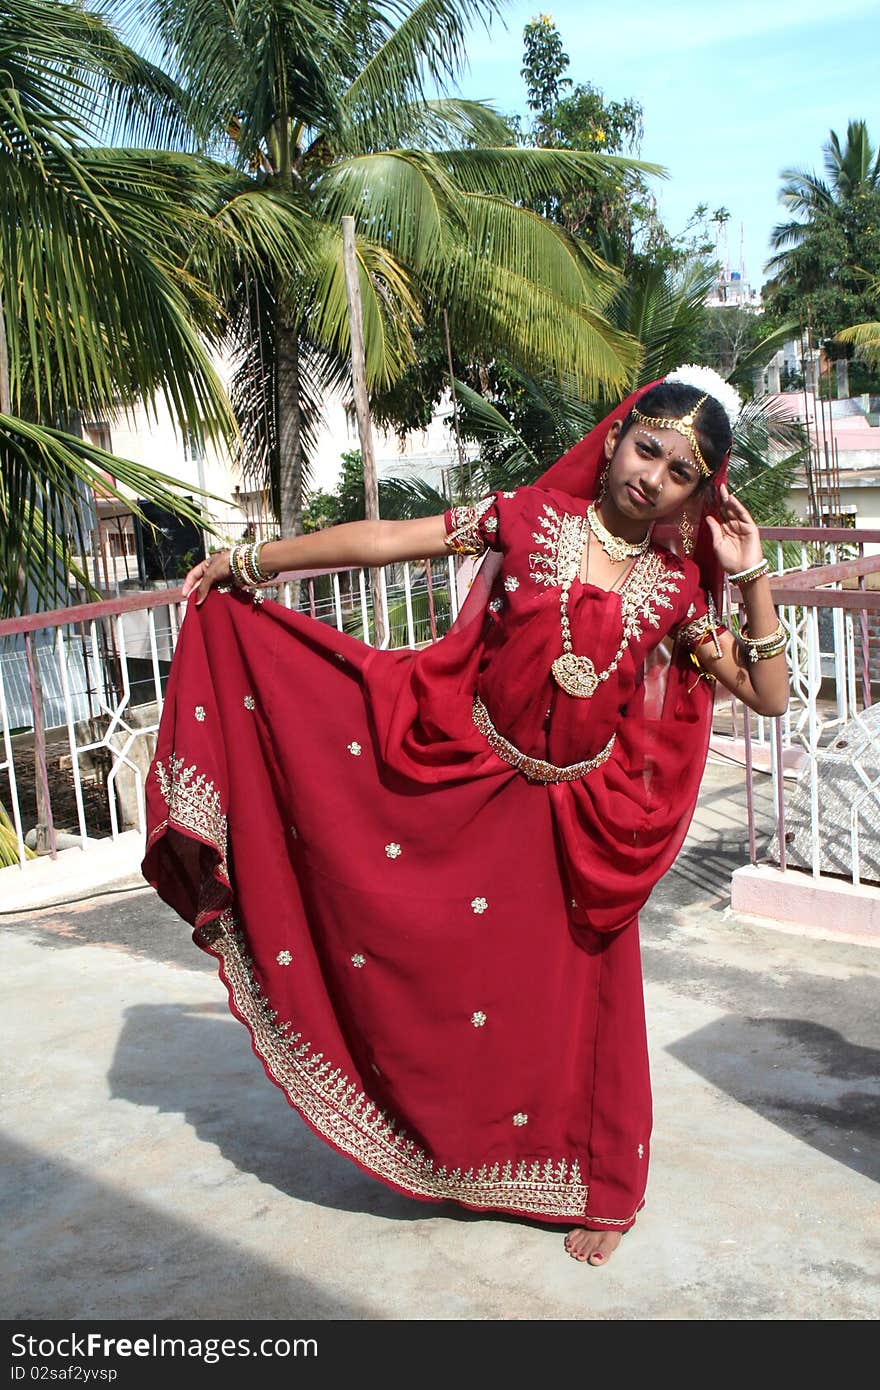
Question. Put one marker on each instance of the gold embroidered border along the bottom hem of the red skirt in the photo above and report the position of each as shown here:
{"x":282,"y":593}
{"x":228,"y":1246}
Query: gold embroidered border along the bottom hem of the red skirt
{"x":345,"y":1115}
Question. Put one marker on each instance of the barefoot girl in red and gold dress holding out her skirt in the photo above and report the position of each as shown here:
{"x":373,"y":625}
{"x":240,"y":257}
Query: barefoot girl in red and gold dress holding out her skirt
{"x":422,"y":872}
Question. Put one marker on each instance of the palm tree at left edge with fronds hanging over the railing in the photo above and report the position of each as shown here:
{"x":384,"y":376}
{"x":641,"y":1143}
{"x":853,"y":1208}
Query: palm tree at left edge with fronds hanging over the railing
{"x":94,"y":313}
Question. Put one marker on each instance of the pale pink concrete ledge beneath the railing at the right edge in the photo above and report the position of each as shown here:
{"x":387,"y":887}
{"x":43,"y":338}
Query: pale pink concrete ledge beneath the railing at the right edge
{"x":829,"y":908}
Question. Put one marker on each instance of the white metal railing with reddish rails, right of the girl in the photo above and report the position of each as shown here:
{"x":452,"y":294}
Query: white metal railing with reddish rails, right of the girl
{"x":824,"y":755}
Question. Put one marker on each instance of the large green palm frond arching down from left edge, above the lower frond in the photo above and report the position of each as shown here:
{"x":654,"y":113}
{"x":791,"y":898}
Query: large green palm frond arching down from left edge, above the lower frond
{"x":85,"y":297}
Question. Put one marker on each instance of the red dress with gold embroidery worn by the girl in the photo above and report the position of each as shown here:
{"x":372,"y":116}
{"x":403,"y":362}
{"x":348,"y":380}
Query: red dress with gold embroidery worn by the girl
{"x":436,"y":954}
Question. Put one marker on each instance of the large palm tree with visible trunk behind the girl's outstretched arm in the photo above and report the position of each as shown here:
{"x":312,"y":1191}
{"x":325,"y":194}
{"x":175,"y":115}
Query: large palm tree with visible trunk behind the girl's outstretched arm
{"x":325,"y":106}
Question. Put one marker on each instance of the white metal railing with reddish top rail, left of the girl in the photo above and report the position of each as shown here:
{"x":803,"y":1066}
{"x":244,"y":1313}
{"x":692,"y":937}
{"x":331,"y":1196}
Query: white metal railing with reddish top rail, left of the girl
{"x":81,"y":690}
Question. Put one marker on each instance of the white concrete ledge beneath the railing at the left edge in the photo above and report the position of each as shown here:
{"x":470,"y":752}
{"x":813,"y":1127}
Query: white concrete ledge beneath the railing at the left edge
{"x":76,"y":874}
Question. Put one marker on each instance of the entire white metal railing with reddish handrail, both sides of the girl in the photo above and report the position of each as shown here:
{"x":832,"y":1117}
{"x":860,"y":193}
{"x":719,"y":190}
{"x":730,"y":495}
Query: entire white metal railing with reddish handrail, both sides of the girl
{"x":81,"y":694}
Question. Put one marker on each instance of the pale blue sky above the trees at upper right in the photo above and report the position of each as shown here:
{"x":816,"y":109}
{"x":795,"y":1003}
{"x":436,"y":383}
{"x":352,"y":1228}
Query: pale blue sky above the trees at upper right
{"x":732,"y":94}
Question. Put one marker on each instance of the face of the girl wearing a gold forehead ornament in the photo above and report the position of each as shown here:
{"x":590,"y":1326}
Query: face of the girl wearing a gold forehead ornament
{"x":653,"y":472}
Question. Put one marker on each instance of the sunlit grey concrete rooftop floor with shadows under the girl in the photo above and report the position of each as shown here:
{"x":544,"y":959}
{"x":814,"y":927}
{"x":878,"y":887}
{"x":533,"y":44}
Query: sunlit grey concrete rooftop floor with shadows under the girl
{"x":152,"y":1172}
